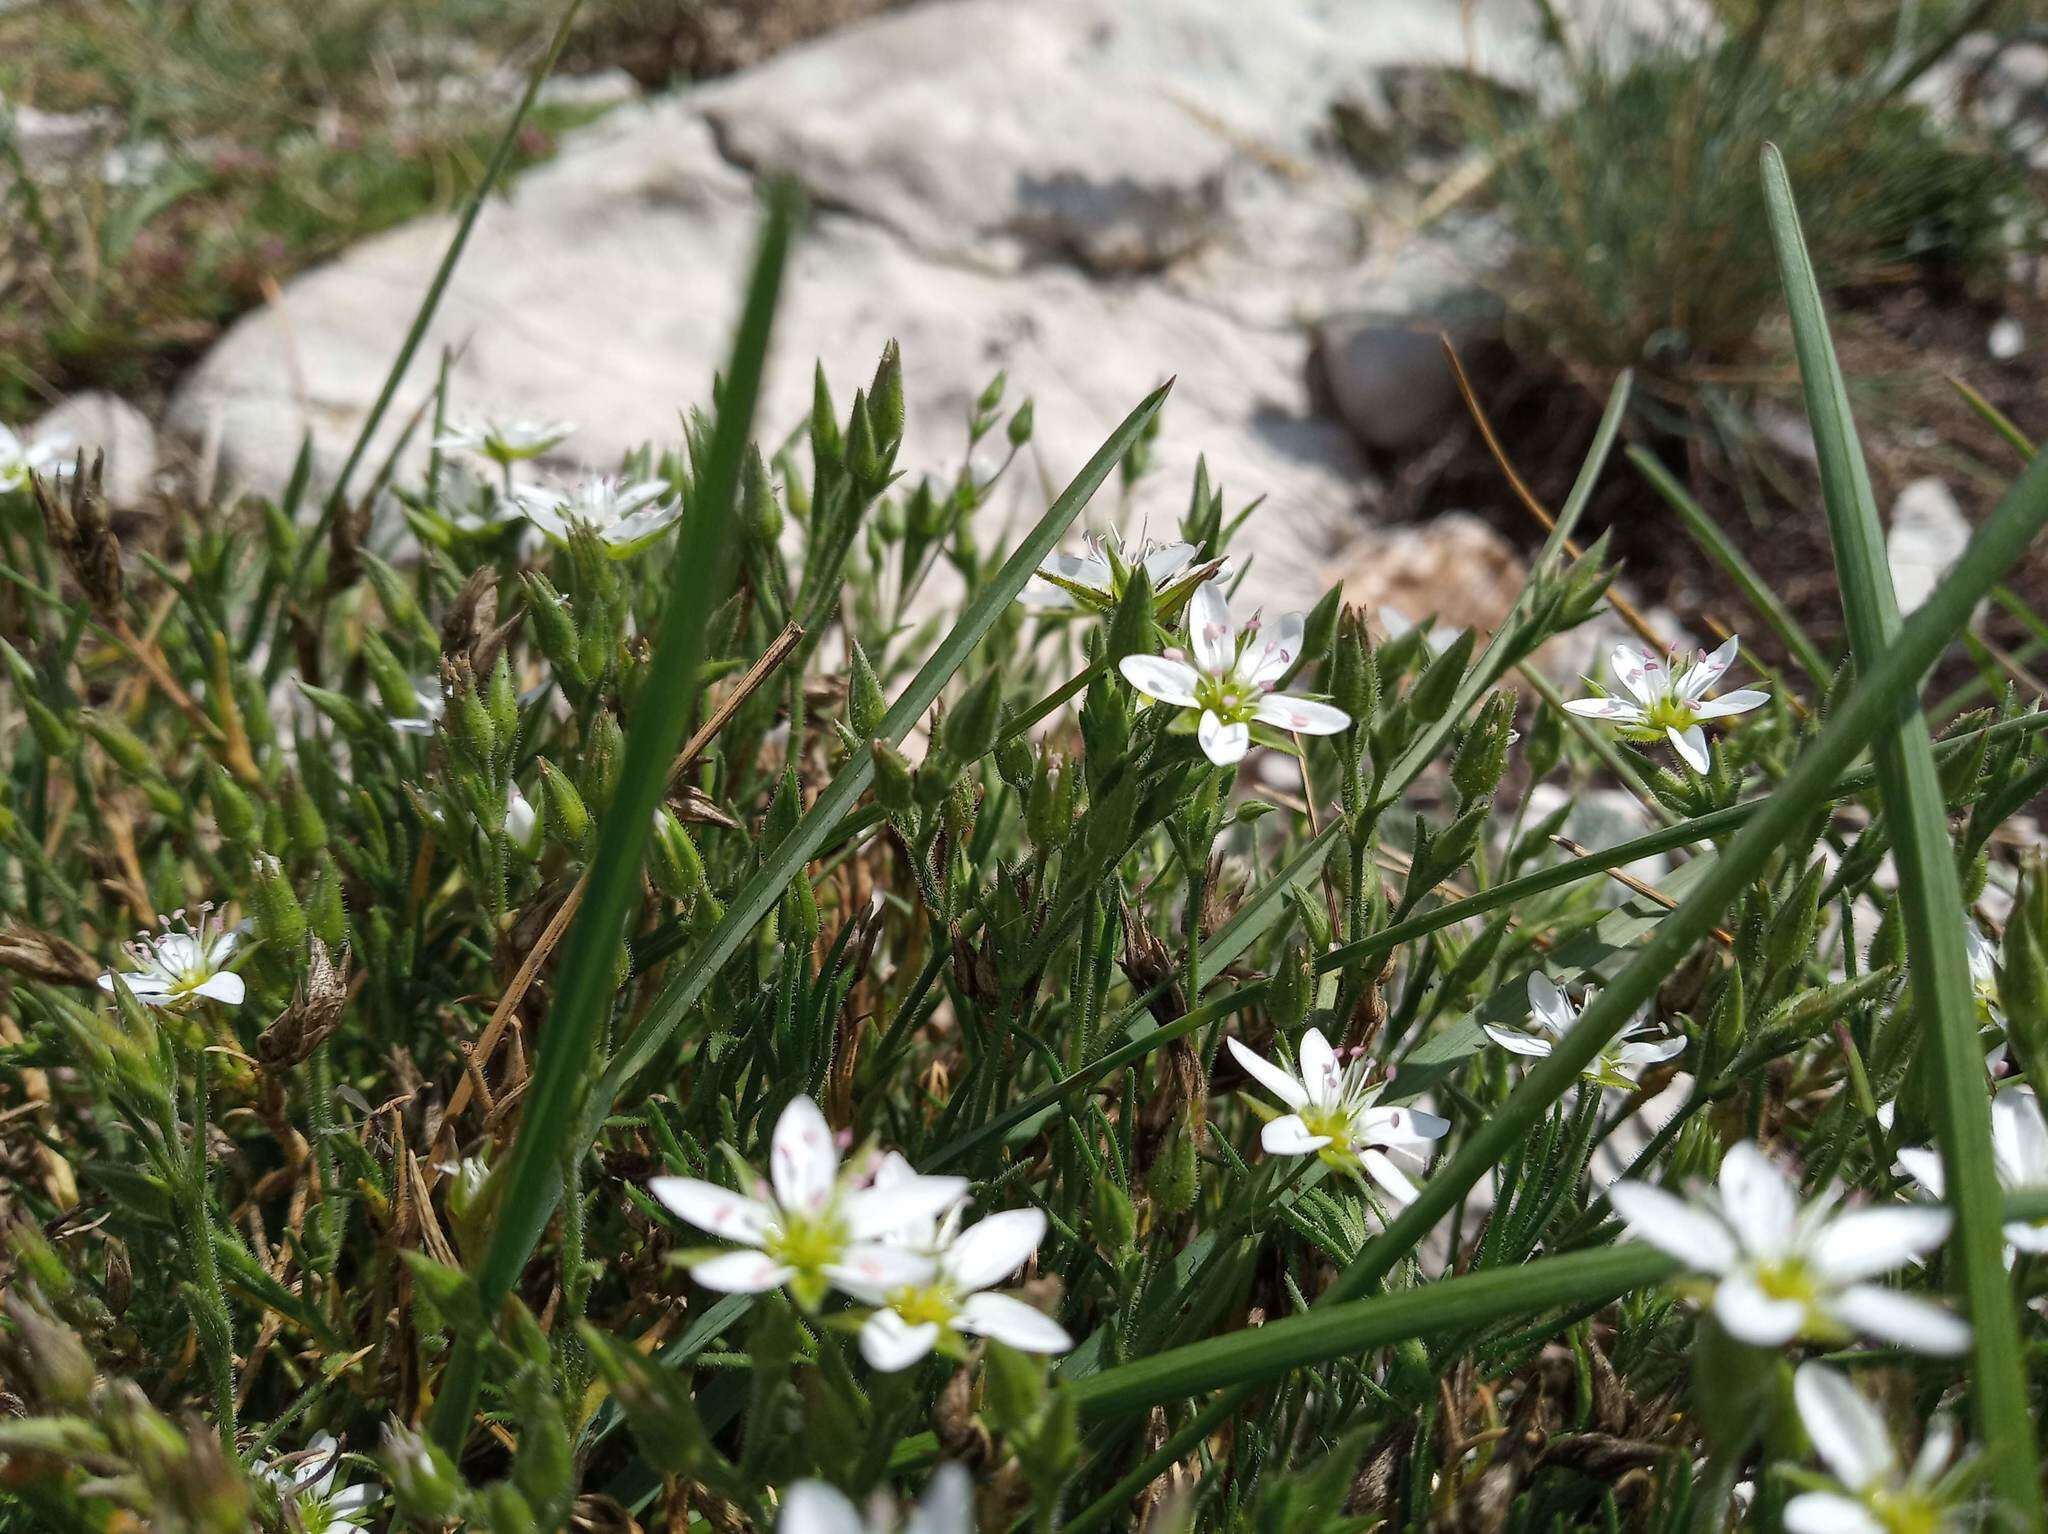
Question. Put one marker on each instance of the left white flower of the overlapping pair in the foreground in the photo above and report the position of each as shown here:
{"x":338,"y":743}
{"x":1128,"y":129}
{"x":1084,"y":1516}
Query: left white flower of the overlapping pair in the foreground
{"x":808,"y":1228}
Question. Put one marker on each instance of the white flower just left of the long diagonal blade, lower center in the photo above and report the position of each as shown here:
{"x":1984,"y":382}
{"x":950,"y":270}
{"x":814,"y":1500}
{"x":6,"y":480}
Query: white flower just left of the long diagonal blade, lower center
{"x":1338,"y":1117}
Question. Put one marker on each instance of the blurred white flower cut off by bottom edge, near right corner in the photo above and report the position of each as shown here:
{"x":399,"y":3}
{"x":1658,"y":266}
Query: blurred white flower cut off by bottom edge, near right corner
{"x":1877,"y":1494}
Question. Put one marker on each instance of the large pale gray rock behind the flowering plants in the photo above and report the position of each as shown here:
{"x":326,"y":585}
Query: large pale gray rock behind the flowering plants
{"x":1089,"y":194}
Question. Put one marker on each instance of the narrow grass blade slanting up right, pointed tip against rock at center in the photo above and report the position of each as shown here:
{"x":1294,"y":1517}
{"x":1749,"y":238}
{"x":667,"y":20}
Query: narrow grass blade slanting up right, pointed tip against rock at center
{"x":759,"y":896}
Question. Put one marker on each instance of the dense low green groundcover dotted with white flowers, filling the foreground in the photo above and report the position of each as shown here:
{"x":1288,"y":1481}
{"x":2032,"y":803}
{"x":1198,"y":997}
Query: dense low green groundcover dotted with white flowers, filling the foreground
{"x":656,"y":1011}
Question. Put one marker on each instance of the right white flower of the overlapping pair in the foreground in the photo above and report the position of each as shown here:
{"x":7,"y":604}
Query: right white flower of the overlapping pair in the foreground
{"x":912,"y":1320}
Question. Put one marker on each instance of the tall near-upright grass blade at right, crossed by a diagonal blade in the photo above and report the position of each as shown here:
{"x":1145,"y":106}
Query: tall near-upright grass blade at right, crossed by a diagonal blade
{"x":1930,"y":890}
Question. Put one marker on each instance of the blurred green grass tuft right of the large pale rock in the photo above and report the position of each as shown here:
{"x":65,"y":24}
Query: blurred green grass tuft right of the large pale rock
{"x":1639,"y":214}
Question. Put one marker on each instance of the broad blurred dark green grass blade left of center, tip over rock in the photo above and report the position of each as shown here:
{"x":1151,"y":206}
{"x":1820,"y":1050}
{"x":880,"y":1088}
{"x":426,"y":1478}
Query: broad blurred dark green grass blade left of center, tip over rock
{"x":701,"y":570}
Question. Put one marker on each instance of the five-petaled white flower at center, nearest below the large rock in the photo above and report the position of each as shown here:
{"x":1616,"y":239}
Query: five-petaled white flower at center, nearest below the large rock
{"x":1232,"y":679}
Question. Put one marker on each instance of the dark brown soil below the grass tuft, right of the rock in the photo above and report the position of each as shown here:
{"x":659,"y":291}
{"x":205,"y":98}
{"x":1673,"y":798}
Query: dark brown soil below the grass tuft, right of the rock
{"x":1900,"y":347}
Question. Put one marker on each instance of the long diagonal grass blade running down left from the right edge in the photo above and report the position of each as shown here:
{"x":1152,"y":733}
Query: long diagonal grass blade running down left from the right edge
{"x":1871,"y":708}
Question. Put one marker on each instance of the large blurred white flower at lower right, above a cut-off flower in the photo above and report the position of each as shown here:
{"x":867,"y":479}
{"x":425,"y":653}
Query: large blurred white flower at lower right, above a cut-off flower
{"x":1795,"y":1273}
